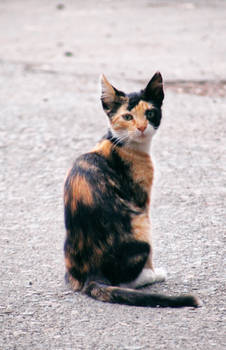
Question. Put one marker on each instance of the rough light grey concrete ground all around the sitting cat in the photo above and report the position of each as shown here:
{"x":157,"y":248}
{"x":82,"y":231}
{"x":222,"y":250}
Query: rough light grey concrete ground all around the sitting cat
{"x":51,"y":56}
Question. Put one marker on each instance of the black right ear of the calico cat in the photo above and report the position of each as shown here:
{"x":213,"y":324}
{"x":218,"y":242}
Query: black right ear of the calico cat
{"x":154,"y":90}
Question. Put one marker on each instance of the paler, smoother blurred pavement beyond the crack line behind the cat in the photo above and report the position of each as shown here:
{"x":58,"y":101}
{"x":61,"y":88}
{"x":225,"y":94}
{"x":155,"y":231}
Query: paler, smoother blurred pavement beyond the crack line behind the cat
{"x":126,"y":39}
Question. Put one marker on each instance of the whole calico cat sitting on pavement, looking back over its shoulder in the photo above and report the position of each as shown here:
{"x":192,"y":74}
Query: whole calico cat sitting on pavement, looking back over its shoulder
{"x":108,"y":249}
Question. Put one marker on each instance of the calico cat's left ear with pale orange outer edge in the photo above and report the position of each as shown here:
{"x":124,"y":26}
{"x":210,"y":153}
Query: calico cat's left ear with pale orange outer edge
{"x":111,"y":98}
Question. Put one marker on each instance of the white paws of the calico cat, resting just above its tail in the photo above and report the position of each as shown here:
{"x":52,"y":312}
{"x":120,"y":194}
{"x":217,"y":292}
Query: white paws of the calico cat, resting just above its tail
{"x":146,"y":277}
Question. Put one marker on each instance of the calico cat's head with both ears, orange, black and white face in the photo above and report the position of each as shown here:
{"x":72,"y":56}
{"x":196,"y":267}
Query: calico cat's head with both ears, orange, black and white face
{"x":133,"y":117}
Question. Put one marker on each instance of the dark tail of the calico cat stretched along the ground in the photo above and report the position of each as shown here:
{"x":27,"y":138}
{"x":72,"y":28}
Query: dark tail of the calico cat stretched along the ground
{"x":133,"y":297}
